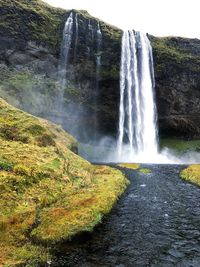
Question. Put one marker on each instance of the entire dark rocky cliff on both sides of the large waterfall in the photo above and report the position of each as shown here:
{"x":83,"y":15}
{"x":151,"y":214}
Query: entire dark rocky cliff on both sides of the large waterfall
{"x":30,"y":39}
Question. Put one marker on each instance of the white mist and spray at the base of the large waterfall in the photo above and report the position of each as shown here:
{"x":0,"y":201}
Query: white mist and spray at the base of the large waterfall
{"x":104,"y":151}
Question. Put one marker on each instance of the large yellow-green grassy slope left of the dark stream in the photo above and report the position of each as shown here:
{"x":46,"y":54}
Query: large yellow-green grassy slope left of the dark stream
{"x":48,"y":193}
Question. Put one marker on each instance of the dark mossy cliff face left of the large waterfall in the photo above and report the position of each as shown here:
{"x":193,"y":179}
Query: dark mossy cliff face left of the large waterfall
{"x":31,"y":36}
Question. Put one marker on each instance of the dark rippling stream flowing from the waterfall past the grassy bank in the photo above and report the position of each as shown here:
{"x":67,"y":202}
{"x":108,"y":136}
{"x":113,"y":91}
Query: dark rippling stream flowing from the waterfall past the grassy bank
{"x":156,"y":223}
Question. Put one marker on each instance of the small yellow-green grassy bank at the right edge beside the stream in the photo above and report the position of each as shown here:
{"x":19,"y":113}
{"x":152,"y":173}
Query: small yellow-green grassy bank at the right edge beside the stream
{"x":192,"y":174}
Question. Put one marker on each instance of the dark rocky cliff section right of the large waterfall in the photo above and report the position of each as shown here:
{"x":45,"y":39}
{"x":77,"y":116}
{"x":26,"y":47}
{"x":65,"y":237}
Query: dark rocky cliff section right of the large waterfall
{"x":177,"y":74}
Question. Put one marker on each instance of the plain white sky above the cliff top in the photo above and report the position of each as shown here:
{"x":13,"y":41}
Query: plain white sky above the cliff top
{"x":157,"y":17}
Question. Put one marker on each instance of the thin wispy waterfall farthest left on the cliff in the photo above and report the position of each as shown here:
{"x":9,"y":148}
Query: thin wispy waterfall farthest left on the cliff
{"x":64,"y":57}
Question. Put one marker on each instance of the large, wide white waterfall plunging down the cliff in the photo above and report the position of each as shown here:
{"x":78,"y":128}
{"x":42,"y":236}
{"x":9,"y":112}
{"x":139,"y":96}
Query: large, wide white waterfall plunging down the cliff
{"x":137,"y":134}
